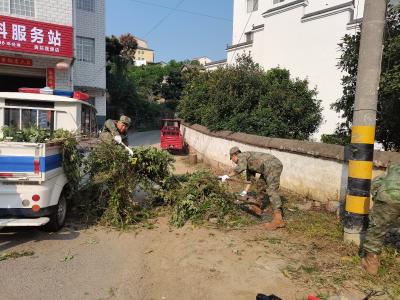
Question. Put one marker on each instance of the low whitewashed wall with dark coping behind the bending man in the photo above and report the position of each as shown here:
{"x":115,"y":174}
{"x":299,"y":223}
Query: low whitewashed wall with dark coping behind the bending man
{"x":315,"y":170}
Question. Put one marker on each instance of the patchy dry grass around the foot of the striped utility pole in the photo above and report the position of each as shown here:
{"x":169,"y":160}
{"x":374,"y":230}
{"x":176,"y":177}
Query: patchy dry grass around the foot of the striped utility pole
{"x":328,"y":264}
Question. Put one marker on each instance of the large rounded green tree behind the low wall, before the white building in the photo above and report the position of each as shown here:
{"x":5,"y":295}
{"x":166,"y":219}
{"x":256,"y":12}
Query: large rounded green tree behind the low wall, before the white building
{"x":244,"y":98}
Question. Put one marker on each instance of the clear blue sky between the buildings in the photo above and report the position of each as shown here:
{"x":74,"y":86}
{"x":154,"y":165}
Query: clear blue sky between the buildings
{"x":174,"y":34}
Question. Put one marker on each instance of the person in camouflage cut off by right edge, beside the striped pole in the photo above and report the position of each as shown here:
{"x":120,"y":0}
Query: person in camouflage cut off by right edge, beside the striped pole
{"x":385,"y":214}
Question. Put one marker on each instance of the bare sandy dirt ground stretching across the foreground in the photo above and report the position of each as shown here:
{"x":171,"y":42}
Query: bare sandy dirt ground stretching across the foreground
{"x":95,"y":263}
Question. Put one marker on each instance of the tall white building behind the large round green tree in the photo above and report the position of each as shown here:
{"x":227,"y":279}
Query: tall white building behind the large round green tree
{"x":298,"y":35}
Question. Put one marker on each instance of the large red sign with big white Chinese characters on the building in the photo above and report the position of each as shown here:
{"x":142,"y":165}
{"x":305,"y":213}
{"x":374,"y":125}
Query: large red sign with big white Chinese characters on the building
{"x":20,"y":35}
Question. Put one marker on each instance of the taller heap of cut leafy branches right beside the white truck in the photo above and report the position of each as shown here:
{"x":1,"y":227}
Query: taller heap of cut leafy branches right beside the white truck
{"x":115,"y":178}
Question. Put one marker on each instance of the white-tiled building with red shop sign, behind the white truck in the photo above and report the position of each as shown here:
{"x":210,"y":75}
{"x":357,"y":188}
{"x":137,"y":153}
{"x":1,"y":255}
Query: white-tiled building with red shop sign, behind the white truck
{"x":54,"y":43}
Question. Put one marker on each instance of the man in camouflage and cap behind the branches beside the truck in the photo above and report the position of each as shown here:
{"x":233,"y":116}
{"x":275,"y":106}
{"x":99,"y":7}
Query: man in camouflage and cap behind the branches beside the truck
{"x":116,"y":130}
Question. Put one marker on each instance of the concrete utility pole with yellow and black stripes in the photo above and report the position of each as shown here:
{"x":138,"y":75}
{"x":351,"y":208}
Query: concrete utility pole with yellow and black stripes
{"x":364,"y":121}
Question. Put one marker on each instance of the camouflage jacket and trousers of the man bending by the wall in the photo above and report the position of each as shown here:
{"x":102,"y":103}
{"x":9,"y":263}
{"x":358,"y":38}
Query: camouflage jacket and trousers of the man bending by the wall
{"x":270,"y":169}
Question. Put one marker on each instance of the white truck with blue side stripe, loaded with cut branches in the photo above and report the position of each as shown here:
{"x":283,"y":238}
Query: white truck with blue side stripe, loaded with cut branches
{"x":32,"y":180}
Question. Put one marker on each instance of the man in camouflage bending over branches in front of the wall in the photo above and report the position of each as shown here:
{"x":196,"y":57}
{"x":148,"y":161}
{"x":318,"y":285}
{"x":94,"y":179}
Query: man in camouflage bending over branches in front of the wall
{"x":270,"y":169}
